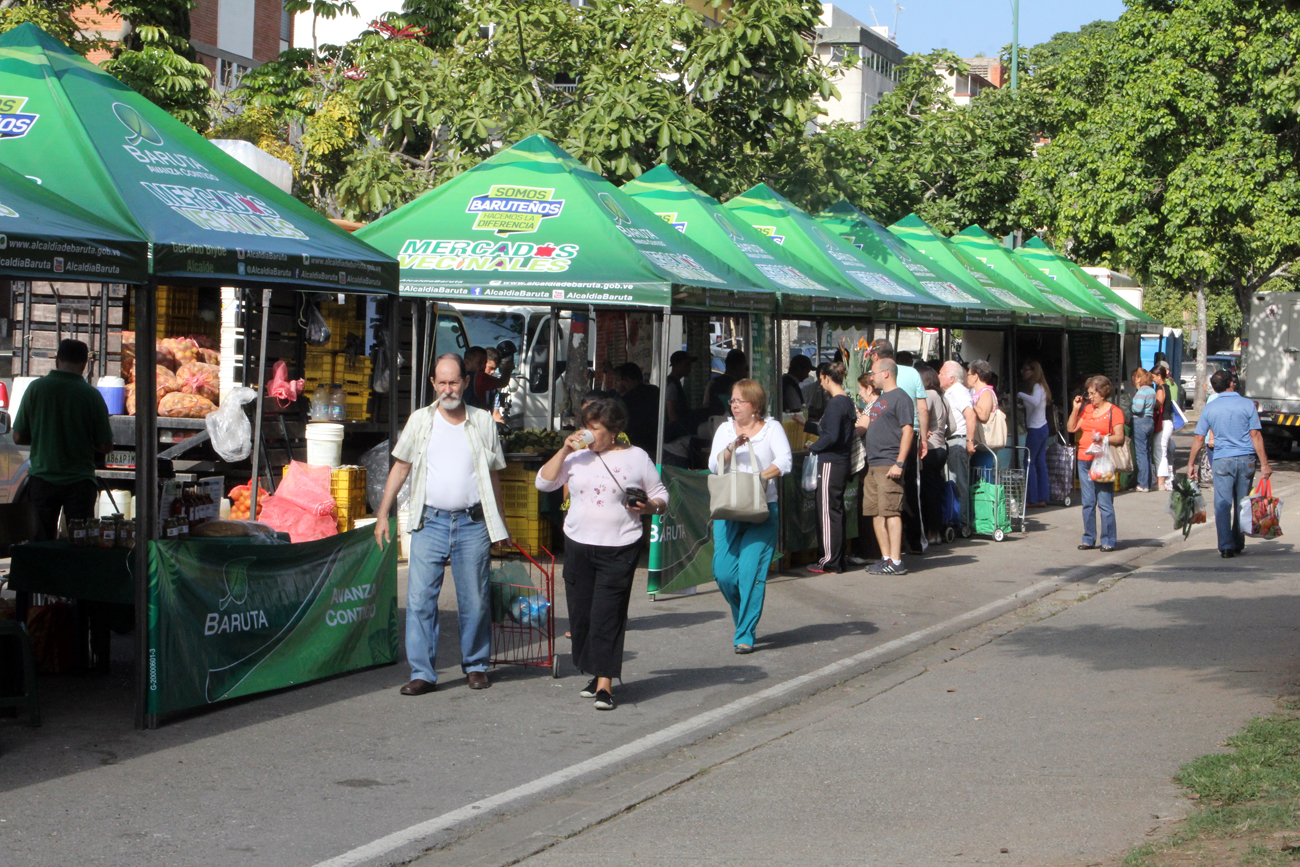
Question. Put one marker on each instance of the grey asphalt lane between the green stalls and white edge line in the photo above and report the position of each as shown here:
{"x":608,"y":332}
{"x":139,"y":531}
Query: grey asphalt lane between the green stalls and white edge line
{"x":310,"y":774}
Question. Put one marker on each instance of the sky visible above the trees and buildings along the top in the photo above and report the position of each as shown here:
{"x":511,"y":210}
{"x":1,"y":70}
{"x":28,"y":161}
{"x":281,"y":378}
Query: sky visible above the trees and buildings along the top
{"x":965,"y":27}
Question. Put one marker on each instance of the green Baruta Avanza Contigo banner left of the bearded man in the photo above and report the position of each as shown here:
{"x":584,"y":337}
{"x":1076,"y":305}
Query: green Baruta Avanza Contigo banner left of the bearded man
{"x":229,"y":618}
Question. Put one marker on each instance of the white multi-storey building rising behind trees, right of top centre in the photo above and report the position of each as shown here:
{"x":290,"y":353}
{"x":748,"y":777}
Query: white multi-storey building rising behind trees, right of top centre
{"x":876,"y":72}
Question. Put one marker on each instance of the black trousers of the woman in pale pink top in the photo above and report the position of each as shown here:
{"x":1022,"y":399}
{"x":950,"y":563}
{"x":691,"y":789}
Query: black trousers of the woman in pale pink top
{"x":599,"y":589}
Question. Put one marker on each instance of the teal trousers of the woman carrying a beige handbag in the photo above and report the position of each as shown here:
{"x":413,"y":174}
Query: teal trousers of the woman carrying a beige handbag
{"x":743,"y":554}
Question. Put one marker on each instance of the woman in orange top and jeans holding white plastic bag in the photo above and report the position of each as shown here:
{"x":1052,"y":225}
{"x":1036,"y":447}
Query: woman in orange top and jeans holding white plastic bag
{"x":1103,"y":427}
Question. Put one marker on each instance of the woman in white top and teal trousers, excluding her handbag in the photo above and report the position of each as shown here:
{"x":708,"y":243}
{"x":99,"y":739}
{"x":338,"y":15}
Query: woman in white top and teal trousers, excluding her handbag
{"x":749,"y":444}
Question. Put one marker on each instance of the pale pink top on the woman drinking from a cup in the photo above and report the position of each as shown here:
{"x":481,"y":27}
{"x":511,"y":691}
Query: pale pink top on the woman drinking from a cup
{"x":597,"y":514}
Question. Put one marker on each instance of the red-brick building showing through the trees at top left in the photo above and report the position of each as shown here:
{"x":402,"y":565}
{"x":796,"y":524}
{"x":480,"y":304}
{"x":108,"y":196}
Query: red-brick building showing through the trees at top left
{"x":231,"y":37}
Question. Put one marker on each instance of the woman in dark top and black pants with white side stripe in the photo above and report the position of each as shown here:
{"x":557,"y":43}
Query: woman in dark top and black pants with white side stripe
{"x":833,"y":450}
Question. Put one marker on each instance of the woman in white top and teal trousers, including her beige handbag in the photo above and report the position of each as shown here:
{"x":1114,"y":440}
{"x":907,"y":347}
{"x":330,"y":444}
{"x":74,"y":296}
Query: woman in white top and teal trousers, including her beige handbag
{"x":749,"y":454}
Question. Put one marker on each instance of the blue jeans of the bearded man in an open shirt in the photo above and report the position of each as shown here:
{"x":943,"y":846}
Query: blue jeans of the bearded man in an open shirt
{"x":449,"y":539}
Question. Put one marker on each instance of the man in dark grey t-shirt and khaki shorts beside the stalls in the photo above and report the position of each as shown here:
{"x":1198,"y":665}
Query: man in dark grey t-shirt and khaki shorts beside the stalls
{"x":889,"y":440}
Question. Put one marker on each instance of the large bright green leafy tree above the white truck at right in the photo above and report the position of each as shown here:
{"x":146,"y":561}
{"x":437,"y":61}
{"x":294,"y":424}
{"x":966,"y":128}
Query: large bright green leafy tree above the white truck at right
{"x":1176,"y":149}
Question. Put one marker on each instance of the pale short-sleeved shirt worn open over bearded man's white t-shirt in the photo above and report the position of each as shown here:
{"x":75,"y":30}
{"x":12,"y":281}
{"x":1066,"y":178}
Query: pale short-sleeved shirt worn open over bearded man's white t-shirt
{"x":486,"y":452}
